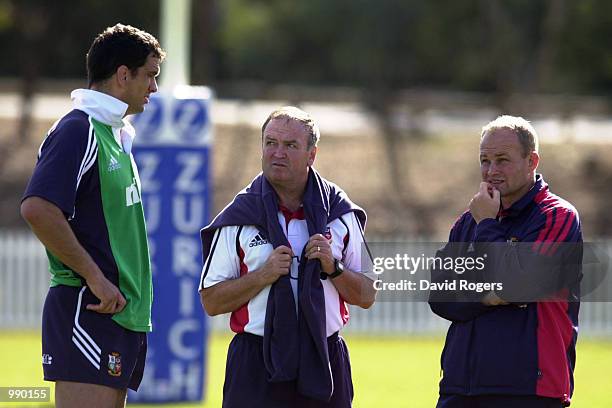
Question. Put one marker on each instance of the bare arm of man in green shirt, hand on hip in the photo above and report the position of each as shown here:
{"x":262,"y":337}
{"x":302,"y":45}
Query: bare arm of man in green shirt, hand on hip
{"x":50,"y":226}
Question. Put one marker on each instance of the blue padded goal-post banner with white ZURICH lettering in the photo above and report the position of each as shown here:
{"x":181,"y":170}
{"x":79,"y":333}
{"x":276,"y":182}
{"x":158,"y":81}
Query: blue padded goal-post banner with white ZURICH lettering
{"x":172,"y":150}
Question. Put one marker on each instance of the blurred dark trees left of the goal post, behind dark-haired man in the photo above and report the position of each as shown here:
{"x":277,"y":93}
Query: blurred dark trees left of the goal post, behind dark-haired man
{"x":55,"y":36}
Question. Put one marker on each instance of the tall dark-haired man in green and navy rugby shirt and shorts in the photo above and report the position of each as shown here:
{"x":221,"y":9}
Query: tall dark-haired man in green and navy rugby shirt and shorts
{"x":83,"y":204}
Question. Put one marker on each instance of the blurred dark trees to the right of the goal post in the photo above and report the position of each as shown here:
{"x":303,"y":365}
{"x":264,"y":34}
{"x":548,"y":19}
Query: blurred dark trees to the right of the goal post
{"x":482,"y":45}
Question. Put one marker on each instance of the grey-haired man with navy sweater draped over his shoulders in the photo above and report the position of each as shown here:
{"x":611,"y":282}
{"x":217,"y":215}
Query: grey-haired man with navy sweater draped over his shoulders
{"x":284,"y":258}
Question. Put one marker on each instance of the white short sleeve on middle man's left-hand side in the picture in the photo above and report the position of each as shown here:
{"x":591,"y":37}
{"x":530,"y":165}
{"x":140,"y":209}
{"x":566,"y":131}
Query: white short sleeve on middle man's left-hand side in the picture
{"x":222,"y":263}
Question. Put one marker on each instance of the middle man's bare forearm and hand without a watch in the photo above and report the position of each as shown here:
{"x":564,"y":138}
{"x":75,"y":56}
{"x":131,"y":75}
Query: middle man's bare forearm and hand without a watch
{"x":228,"y":296}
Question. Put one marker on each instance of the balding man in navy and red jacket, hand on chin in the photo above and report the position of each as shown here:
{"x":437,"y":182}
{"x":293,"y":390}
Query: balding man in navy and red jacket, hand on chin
{"x":513,"y":347}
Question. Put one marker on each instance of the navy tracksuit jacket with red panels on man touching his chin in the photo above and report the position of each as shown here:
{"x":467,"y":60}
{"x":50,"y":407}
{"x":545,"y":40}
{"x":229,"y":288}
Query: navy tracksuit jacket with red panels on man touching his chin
{"x":523,"y":348}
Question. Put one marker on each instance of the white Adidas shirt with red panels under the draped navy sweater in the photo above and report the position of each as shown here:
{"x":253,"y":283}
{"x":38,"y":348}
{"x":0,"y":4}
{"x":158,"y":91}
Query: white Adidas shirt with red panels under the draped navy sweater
{"x":237,"y":251}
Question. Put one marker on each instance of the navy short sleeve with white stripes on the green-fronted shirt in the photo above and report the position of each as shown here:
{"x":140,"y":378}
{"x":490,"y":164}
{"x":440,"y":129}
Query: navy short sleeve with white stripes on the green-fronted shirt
{"x":68,"y":152}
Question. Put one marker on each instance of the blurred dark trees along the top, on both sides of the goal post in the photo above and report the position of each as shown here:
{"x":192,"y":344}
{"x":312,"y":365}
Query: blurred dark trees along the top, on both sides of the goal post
{"x":479,"y":45}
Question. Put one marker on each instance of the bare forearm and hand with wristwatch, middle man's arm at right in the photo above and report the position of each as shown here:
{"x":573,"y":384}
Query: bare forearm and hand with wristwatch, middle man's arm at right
{"x":355,"y":288}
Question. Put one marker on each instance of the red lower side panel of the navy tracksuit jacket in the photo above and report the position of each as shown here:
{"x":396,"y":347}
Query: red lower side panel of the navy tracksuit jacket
{"x":554,"y":338}
